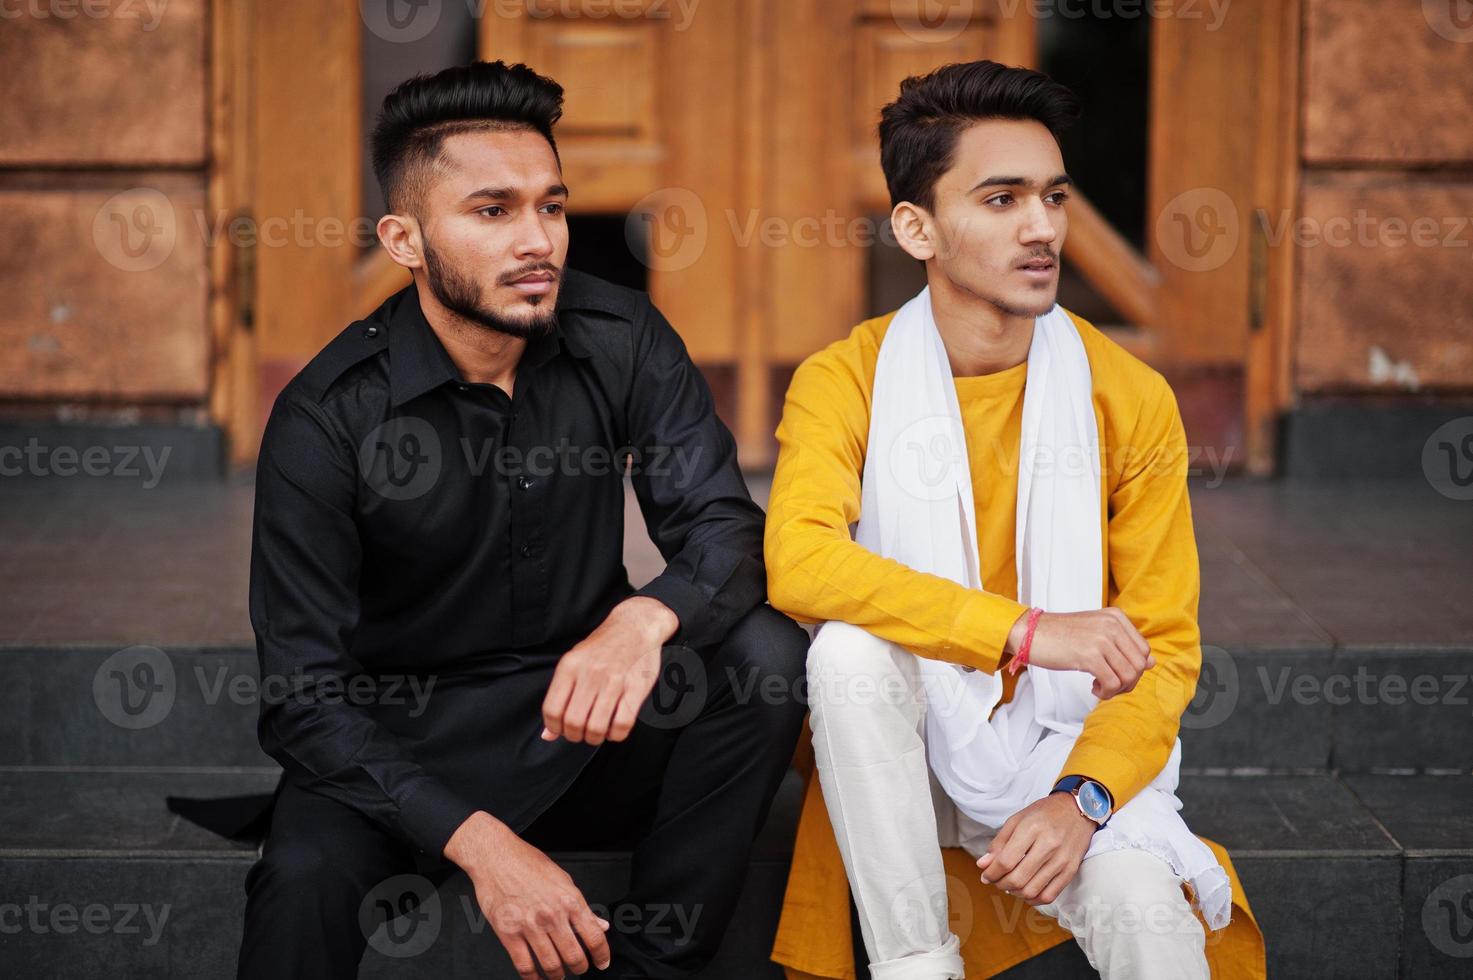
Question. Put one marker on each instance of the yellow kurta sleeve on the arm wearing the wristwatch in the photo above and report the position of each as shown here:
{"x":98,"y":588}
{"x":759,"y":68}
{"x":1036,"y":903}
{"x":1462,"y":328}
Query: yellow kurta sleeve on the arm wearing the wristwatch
{"x":1156,"y":580}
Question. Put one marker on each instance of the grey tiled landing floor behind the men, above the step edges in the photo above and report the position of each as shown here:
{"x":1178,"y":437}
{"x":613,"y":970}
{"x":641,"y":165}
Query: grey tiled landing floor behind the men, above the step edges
{"x":1285,"y":565}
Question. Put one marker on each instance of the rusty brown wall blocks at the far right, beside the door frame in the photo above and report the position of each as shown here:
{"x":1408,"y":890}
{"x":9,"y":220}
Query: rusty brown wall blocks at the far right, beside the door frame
{"x":1385,"y":229}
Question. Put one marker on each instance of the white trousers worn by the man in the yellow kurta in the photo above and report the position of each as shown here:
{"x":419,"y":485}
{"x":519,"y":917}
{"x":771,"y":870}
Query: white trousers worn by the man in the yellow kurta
{"x":1126,"y":909}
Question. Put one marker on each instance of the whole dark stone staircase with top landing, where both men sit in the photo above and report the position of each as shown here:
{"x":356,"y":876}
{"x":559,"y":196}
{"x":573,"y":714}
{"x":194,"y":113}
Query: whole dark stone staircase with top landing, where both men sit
{"x":1329,"y":746}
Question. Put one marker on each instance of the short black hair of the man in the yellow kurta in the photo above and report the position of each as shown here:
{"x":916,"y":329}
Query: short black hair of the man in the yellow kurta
{"x":918,"y":132}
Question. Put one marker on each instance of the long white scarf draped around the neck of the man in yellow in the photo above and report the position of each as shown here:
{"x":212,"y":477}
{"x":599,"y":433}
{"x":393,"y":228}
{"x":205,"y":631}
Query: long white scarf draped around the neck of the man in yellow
{"x":918,"y":509}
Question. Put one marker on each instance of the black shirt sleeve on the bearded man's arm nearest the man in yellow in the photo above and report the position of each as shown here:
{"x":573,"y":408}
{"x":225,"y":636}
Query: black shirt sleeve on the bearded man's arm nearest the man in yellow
{"x":692,"y":491}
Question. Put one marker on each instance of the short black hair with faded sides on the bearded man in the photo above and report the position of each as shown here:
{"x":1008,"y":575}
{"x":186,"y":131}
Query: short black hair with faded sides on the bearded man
{"x":423,"y":111}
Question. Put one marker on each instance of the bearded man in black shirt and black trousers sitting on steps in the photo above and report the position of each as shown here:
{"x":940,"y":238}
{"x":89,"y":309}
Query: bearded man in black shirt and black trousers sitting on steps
{"x":456,"y":668}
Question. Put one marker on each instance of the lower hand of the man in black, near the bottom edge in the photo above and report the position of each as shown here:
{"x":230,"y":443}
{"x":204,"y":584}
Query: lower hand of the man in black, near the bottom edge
{"x":532,"y":906}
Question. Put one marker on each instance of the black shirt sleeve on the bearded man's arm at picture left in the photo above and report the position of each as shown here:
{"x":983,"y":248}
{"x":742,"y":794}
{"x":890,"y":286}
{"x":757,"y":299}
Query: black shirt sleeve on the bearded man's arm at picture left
{"x":304,"y":606}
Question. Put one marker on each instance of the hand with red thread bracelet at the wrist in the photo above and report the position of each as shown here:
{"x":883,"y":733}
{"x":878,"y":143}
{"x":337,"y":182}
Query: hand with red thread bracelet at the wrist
{"x":1100,"y":642}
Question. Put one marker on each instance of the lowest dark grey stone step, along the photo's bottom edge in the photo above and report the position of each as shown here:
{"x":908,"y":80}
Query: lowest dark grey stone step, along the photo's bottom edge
{"x":1360,"y":876}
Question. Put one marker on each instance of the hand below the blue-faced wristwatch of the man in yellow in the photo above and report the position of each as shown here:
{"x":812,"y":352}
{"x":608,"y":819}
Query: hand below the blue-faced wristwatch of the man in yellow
{"x":1039,"y":850}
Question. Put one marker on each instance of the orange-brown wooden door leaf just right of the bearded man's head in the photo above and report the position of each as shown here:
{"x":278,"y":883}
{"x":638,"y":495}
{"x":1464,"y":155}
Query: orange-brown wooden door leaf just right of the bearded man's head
{"x":650,"y":123}
